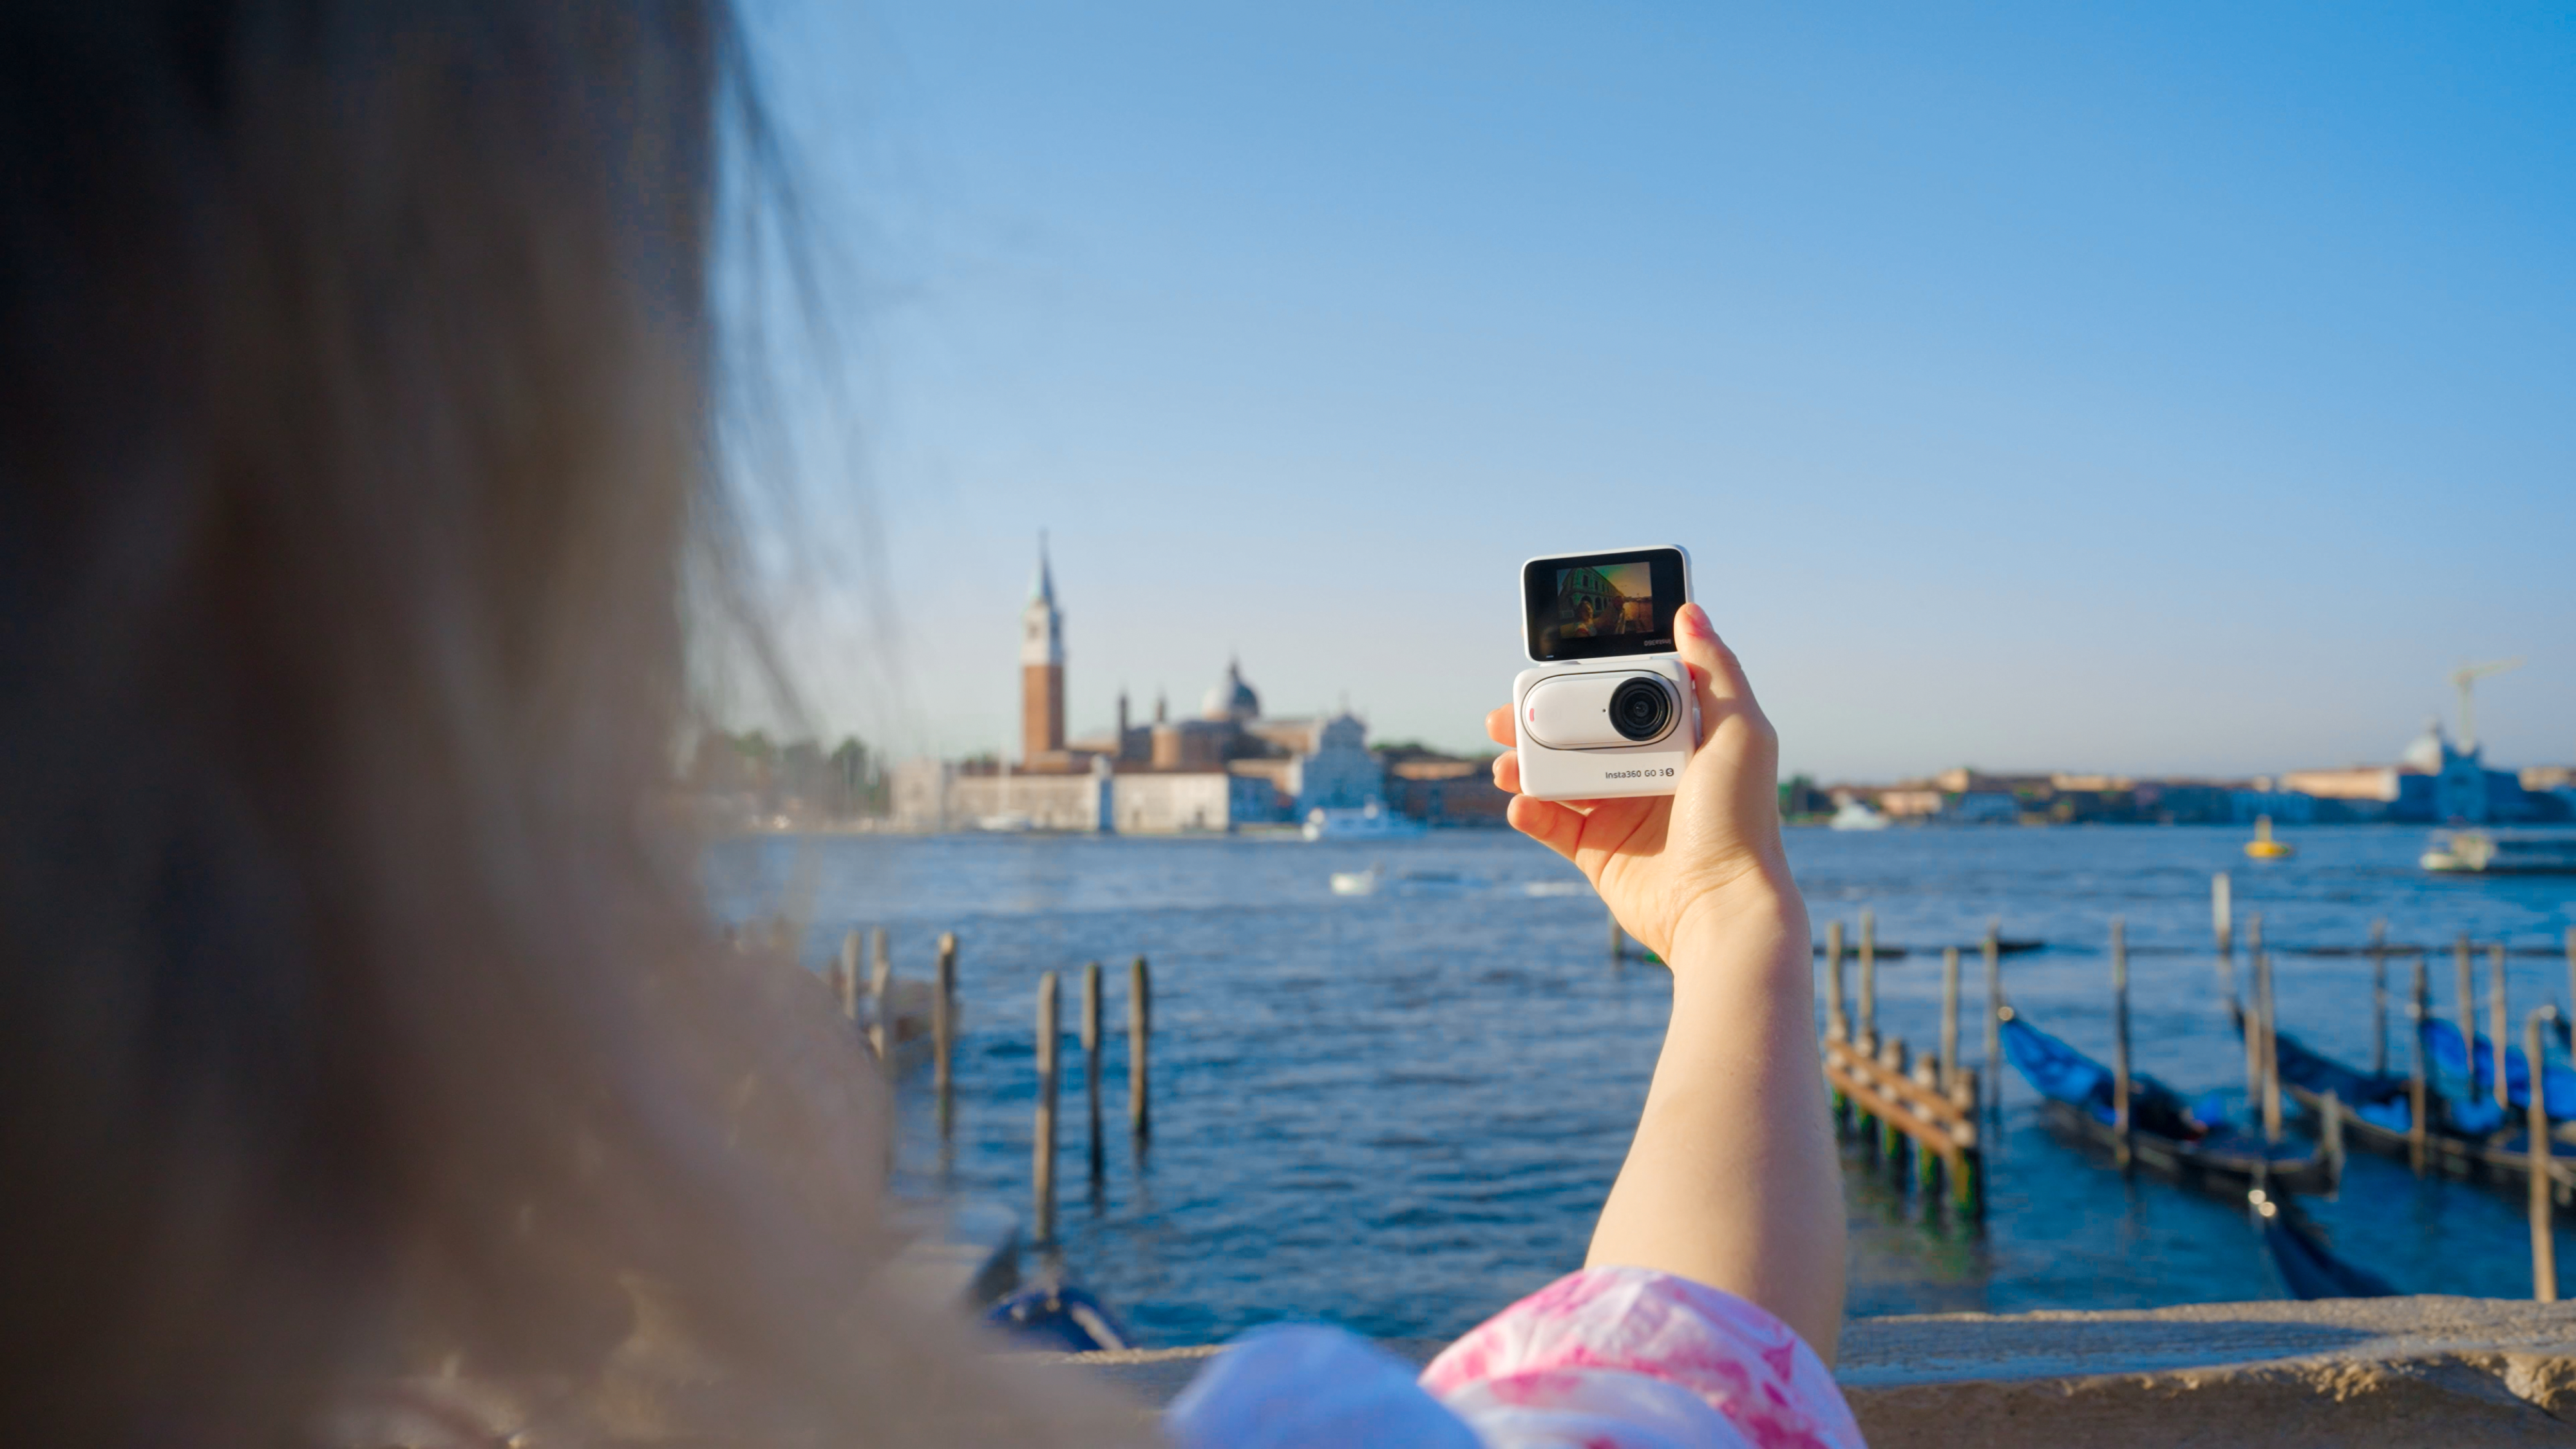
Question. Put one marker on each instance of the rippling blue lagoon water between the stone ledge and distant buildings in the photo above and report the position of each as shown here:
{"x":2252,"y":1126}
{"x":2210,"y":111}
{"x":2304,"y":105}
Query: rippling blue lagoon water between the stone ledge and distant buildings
{"x":1400,"y":1113}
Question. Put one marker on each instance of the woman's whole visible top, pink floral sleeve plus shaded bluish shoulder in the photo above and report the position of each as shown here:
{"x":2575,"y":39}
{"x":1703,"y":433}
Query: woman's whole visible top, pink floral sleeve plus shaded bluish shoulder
{"x":1601,"y":1360}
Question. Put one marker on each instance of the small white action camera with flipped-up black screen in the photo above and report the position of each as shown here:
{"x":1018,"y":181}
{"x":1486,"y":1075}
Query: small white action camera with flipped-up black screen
{"x":1611,"y":708}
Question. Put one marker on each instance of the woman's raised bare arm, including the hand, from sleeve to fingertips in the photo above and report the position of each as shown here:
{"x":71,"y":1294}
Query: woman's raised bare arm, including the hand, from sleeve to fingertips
{"x":1732,"y":1177}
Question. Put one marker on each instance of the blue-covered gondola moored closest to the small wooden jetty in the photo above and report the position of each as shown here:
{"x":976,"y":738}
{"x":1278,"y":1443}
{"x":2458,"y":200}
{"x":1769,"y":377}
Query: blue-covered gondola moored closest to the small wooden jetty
{"x":2168,"y":1136}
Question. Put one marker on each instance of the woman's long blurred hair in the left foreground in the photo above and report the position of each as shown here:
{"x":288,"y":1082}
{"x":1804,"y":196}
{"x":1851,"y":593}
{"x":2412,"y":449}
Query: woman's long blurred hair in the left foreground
{"x":367,"y":1069}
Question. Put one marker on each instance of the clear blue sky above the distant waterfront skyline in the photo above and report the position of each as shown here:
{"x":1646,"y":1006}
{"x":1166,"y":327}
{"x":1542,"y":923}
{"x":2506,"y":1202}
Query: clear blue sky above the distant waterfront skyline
{"x":2160,"y":388}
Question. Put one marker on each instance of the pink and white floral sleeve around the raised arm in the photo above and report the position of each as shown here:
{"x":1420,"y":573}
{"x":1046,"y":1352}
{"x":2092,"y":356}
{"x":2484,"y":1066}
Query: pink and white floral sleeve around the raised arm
{"x":1634,"y":1360}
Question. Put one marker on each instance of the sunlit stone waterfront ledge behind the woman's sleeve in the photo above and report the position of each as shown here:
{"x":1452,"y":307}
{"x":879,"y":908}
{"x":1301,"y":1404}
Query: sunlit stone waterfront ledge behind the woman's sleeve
{"x":2397,"y":1373}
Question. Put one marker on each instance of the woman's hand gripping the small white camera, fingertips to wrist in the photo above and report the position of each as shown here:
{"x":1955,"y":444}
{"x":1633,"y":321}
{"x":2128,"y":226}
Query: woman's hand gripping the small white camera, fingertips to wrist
{"x":1678,"y":865}
